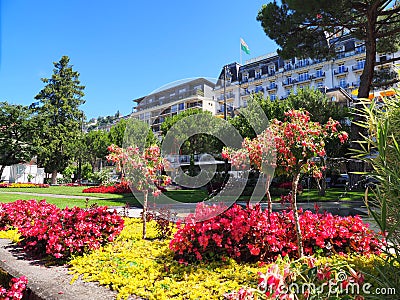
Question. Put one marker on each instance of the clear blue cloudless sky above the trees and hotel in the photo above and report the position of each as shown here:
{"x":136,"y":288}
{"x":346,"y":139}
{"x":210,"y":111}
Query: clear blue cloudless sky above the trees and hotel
{"x":122,"y":49}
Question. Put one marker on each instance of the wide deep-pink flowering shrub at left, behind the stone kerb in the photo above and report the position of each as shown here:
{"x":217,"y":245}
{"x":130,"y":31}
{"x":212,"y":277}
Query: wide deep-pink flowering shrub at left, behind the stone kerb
{"x":46,"y":229}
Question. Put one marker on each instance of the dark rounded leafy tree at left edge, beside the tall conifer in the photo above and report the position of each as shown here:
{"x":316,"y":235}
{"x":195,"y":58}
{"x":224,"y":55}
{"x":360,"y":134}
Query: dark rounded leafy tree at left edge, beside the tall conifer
{"x":16,"y":132}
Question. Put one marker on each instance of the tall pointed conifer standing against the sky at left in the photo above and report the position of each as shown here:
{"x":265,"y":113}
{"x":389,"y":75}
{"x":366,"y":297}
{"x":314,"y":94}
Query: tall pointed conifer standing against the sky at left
{"x":59,"y":116}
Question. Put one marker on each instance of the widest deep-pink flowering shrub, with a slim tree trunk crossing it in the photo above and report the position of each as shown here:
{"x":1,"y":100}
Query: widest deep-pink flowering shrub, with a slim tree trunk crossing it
{"x":248,"y":235}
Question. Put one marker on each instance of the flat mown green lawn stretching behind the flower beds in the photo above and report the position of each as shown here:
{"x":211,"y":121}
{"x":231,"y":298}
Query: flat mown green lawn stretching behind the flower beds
{"x":186,"y":196}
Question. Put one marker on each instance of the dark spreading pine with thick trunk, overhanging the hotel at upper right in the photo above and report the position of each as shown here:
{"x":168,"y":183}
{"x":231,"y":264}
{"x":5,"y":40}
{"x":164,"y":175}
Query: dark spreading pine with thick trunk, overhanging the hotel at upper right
{"x":308,"y":29}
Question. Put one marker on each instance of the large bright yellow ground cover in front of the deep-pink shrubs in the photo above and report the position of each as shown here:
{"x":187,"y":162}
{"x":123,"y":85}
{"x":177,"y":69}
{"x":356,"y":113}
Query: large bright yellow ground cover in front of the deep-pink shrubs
{"x":146,"y":268}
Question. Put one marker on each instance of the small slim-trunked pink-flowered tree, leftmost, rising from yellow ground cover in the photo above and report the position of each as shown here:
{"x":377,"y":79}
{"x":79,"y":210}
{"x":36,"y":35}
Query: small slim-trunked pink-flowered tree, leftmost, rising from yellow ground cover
{"x":142,"y":169}
